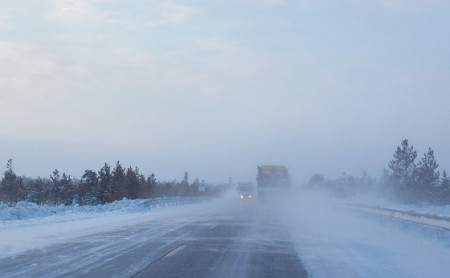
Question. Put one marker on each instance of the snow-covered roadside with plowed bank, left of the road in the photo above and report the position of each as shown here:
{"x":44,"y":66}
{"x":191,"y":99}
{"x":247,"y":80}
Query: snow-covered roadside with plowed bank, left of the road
{"x":36,"y":227}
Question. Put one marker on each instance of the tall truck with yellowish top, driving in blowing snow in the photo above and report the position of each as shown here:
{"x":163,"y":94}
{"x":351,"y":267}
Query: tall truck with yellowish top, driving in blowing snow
{"x":272,"y":178}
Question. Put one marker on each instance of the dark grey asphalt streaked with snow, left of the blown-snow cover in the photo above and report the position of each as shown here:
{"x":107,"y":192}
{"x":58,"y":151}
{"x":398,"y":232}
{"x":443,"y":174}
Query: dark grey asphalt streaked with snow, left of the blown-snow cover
{"x":244,"y":240}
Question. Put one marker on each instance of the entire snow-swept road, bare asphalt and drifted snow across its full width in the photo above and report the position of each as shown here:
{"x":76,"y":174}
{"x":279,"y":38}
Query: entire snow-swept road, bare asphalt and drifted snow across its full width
{"x":298,"y":236}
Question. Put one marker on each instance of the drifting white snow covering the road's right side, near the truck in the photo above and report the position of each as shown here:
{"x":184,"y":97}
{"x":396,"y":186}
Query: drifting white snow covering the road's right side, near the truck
{"x":335,"y":242}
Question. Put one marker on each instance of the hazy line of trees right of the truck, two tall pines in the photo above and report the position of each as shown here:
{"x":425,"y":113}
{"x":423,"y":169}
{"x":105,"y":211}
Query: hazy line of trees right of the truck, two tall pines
{"x":405,"y":180}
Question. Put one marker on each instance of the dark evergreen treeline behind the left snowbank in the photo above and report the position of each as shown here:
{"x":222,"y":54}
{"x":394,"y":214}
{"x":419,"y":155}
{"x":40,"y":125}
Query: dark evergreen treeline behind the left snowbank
{"x":97,"y":187}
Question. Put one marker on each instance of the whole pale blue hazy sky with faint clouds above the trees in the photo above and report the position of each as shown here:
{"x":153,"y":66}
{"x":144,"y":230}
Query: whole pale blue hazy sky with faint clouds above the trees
{"x":216,"y":88}
